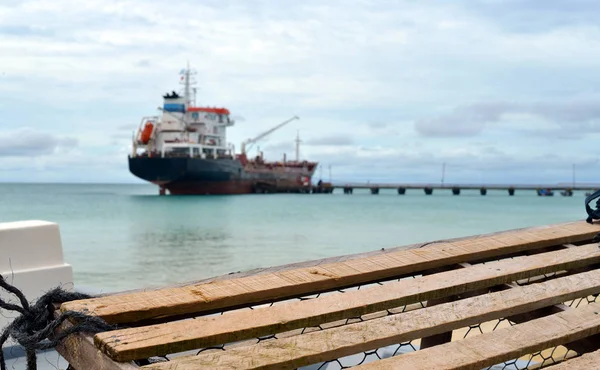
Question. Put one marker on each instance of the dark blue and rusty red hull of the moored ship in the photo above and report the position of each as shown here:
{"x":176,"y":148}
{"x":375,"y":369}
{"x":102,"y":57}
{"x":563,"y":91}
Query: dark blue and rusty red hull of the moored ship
{"x":196,"y":176}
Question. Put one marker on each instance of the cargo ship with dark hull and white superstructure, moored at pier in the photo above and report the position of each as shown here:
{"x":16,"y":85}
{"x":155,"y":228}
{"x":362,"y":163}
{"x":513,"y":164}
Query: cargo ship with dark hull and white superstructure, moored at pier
{"x":184,"y":150}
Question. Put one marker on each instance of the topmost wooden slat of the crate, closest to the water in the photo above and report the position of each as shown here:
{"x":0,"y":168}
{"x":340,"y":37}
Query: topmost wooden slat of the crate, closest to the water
{"x":217,"y":295}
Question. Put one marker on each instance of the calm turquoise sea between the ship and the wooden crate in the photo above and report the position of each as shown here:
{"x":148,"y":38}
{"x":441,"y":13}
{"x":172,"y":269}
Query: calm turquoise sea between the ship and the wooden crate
{"x":120,"y":237}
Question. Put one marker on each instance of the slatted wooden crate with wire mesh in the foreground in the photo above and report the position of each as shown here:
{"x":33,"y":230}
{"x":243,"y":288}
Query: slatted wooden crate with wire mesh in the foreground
{"x":525,"y":295}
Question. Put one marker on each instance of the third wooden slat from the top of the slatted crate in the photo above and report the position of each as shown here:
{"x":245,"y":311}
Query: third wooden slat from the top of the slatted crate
{"x":315,"y":347}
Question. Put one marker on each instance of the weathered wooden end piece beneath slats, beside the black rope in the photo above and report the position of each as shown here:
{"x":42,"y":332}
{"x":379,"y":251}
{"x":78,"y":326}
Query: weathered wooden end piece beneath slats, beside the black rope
{"x":79,"y":351}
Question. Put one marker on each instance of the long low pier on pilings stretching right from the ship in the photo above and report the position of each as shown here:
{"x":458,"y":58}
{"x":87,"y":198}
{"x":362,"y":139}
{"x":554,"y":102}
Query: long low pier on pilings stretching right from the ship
{"x":455,"y":189}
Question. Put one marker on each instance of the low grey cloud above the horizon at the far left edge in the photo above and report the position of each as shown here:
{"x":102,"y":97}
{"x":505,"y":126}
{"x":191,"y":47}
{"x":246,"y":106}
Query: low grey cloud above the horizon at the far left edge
{"x":32,"y":143}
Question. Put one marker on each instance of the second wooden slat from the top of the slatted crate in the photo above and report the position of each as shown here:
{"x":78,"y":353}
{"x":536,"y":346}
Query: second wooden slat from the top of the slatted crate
{"x":201,"y":332}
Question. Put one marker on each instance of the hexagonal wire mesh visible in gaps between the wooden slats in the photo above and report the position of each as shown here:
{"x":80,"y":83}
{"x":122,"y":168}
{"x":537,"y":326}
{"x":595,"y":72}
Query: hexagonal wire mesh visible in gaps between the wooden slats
{"x":536,"y":360}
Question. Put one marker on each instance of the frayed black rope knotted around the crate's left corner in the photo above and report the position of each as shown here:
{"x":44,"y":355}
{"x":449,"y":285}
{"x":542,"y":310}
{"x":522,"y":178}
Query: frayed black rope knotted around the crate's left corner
{"x":34,"y":327}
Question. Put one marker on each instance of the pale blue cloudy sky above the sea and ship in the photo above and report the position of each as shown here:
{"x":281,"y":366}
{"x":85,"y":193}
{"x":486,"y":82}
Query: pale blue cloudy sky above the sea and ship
{"x":386,"y":91}
